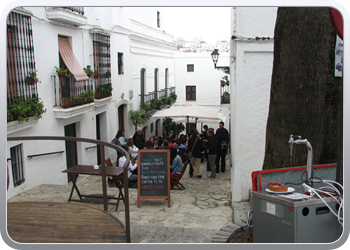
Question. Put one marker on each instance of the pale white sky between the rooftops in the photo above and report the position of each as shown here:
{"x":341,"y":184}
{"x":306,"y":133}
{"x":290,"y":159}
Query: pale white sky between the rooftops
{"x":210,"y":23}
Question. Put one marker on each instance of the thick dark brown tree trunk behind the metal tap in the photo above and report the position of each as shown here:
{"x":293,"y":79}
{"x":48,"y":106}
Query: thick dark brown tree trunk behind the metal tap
{"x":305,"y":96}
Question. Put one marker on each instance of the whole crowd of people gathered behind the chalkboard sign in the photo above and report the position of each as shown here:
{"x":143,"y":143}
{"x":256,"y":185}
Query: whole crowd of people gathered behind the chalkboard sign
{"x":196,"y":147}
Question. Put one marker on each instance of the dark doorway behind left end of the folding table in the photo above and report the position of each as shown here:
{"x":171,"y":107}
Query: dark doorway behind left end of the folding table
{"x":71,"y":148}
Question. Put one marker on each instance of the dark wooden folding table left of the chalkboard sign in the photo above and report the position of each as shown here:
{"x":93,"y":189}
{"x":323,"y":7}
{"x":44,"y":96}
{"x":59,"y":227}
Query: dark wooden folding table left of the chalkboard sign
{"x":115,"y":172}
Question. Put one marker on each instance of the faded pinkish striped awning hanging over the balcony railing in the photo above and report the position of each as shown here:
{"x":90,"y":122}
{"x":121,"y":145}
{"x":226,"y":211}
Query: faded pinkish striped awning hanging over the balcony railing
{"x":70,"y":61}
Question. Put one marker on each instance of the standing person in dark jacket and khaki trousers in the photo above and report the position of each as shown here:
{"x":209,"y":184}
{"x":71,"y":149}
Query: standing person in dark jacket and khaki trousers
{"x":195,"y":145}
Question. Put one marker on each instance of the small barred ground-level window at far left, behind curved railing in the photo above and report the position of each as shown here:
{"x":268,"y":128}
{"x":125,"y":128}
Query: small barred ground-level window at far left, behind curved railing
{"x":17,"y":165}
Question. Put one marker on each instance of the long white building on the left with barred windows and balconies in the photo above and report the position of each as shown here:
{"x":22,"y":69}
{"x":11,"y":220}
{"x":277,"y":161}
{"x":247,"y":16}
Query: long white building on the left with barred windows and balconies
{"x":131,"y":53}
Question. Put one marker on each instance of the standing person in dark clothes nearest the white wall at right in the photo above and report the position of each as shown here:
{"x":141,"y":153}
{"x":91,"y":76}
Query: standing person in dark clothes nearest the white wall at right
{"x":223,"y":142}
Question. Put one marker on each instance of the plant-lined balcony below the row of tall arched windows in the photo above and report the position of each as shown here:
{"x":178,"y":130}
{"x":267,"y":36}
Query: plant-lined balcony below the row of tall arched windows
{"x":158,"y":100}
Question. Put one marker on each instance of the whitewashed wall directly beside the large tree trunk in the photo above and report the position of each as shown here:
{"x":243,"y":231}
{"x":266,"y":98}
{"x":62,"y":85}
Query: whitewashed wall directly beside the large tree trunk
{"x":250,"y":93}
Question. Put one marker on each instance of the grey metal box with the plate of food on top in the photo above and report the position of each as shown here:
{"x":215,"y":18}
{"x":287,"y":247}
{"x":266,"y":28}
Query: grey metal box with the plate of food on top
{"x":279,"y":220}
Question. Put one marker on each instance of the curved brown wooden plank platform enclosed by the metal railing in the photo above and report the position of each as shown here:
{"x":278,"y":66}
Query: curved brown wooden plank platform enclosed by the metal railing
{"x":57,"y":222}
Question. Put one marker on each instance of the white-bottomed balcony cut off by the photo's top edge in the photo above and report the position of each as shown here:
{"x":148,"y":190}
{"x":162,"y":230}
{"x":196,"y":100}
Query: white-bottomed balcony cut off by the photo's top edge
{"x":68,"y":15}
